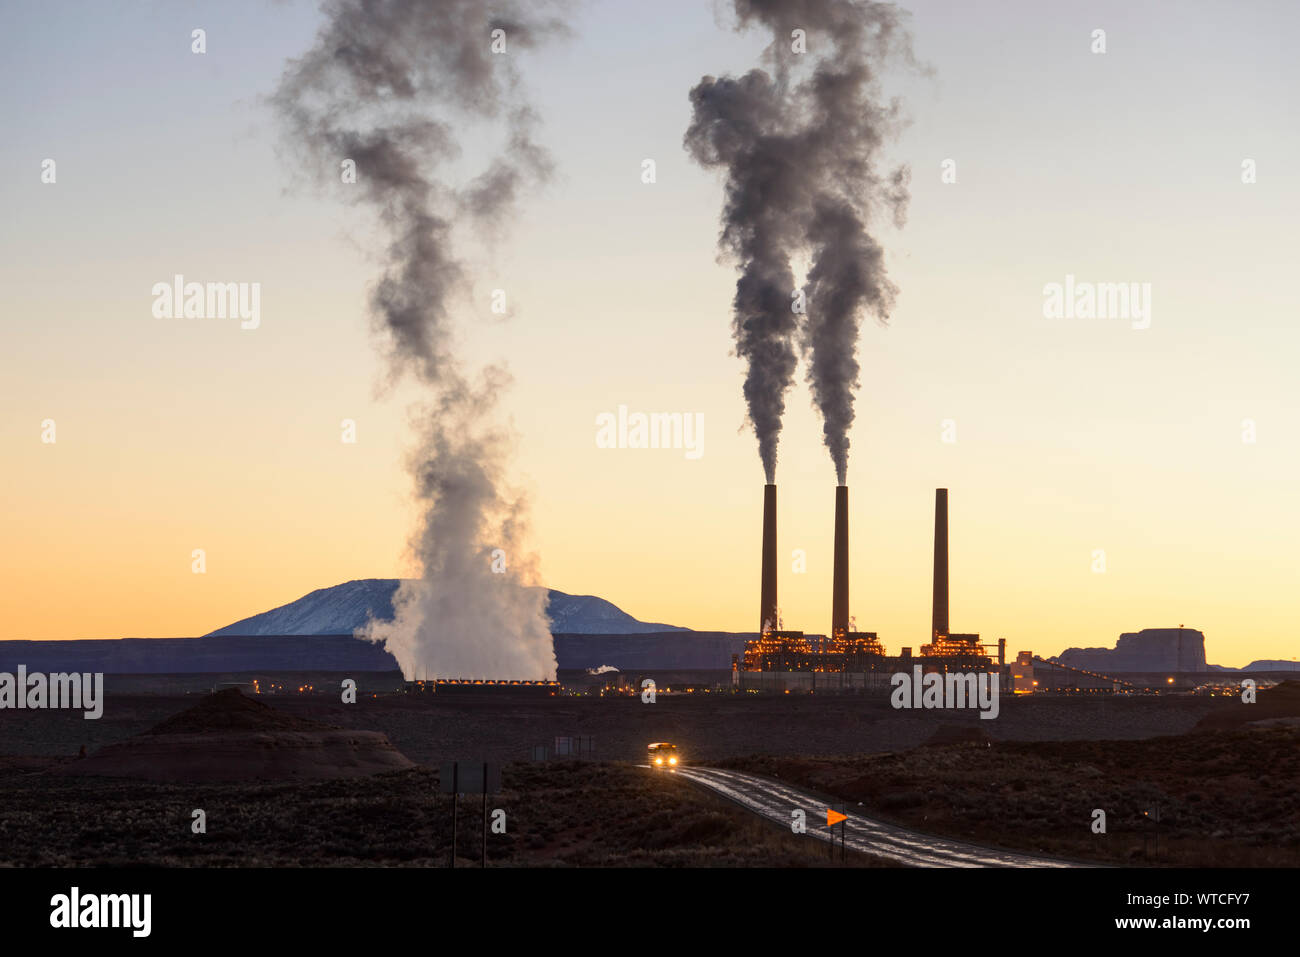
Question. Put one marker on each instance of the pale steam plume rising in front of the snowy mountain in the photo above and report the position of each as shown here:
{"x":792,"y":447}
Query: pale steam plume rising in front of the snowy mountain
{"x":385,"y":85}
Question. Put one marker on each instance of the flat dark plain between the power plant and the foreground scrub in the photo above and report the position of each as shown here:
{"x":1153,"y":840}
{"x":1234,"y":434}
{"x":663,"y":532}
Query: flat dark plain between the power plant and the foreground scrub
{"x":708,"y":728}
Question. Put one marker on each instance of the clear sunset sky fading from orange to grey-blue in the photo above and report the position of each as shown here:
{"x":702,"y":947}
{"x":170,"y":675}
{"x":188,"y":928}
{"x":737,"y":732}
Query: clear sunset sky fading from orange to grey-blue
{"x":1103,"y":478}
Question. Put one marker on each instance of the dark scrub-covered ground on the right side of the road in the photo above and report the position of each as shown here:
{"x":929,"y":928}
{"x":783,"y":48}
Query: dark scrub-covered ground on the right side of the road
{"x":1227,"y":795}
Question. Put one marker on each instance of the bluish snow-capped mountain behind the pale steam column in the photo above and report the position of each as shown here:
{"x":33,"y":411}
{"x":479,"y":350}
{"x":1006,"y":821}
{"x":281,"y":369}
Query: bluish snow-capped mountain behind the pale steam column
{"x":344,"y":609}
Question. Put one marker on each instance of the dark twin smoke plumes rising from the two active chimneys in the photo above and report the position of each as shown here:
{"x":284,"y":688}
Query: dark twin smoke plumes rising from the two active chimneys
{"x":801,"y":163}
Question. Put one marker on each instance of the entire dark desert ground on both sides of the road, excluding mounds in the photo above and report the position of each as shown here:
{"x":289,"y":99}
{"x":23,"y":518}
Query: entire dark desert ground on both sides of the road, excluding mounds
{"x":1227,"y":796}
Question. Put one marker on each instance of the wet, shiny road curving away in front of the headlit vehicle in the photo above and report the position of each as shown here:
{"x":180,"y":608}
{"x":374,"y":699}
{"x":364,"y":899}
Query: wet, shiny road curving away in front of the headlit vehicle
{"x":777,"y":800}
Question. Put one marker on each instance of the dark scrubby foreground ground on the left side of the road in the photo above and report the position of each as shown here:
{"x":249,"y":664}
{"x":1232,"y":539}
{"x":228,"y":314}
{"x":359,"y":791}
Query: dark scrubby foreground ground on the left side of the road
{"x":557,"y":815}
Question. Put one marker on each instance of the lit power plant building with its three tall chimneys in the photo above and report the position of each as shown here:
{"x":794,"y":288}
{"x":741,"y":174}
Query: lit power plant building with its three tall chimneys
{"x":856,"y":659}
